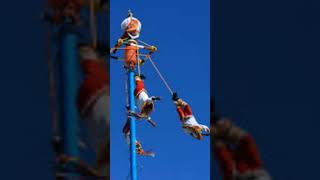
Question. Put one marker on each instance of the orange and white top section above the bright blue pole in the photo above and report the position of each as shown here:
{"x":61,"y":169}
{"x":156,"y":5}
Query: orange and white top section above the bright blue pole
{"x":131,"y":28}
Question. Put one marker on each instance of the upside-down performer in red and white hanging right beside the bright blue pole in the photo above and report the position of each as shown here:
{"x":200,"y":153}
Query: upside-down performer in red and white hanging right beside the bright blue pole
{"x":144,"y":103}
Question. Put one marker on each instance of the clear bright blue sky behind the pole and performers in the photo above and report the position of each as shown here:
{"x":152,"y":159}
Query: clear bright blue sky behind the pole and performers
{"x":181,"y":31}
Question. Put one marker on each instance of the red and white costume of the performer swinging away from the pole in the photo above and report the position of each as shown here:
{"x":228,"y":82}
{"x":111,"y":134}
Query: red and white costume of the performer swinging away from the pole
{"x":188,"y":120}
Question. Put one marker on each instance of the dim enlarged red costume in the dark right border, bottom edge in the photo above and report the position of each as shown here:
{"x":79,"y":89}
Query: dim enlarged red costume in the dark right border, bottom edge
{"x":243,"y":162}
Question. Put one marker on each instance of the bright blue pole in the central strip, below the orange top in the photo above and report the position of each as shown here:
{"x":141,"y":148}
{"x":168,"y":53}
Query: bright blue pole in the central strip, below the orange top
{"x":133,"y":154}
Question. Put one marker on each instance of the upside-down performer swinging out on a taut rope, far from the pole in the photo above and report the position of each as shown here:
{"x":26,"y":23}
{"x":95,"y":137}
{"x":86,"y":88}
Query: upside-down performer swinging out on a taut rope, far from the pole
{"x":189,"y":122}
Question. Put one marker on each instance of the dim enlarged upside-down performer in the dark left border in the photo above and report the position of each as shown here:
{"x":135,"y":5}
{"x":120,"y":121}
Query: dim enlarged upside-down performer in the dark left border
{"x":94,"y":103}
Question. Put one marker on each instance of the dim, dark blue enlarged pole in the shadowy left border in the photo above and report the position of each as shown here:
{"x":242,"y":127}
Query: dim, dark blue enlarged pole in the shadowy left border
{"x":69,"y":80}
